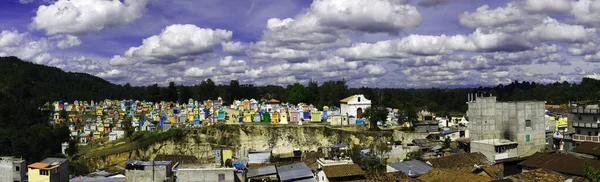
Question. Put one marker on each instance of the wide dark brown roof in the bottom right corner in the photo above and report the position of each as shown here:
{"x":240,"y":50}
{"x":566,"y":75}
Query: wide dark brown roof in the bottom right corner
{"x":565,"y":164}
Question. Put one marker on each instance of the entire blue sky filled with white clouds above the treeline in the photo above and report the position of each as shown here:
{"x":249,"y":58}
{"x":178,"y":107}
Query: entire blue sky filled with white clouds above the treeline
{"x":378,"y":43}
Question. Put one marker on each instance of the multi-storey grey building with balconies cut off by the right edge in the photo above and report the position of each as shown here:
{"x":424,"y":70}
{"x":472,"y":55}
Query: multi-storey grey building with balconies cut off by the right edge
{"x":584,"y":121}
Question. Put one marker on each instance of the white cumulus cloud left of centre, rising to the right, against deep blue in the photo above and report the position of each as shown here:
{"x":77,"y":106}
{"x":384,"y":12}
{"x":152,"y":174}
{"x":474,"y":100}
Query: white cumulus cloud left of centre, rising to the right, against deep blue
{"x":175,"y":43}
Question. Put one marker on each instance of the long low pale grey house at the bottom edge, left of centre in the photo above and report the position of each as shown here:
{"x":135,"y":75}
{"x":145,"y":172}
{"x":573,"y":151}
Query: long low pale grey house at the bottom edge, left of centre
{"x":193,"y":172}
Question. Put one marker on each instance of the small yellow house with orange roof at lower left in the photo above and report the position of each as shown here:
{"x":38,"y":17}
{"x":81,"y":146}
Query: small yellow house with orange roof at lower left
{"x":49,"y":169}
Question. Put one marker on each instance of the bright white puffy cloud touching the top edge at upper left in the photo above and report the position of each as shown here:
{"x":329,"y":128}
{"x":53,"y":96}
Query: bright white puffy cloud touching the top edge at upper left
{"x":82,"y":16}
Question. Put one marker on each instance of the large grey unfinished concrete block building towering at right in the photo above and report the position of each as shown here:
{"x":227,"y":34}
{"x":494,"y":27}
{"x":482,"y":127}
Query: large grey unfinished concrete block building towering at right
{"x":505,"y":130}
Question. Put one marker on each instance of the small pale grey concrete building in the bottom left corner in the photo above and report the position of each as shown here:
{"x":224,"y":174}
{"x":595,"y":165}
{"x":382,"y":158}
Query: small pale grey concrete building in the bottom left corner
{"x":12,"y":169}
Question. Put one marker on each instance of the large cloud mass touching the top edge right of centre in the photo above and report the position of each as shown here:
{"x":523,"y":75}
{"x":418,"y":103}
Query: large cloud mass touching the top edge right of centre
{"x":327,"y":24}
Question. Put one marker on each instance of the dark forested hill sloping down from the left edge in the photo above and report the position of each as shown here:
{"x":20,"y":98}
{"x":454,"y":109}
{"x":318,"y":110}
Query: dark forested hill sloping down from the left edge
{"x":39,"y":83}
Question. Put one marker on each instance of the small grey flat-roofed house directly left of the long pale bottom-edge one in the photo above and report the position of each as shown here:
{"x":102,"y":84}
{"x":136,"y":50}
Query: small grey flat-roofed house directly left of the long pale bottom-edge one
{"x":154,"y":171}
